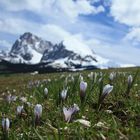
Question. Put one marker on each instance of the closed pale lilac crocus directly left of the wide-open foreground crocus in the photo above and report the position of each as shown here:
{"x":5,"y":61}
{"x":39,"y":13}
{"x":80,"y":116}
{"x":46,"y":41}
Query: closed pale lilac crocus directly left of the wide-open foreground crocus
{"x":37,"y":113}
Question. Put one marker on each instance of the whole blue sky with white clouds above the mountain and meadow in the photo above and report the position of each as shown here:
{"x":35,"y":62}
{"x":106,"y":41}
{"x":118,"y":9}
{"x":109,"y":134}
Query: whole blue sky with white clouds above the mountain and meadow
{"x":110,"y":27}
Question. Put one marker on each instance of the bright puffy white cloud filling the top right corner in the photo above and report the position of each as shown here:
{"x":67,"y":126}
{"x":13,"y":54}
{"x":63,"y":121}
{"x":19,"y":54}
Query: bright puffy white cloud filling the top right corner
{"x":126,"y":11}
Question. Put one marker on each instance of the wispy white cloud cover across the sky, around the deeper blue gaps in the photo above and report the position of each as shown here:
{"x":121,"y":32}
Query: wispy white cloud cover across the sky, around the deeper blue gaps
{"x":61,"y":22}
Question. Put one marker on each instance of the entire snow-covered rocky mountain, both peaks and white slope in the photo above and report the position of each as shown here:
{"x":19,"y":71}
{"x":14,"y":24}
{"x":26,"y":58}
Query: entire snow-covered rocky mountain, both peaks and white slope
{"x":30,"y":49}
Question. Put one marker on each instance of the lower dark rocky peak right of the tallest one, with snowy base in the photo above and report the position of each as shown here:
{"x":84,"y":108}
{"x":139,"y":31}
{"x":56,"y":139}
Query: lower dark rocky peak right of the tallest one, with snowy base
{"x":61,"y":57}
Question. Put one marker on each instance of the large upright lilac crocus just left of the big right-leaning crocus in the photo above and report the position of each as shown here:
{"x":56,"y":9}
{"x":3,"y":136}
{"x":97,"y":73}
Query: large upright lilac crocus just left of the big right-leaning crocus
{"x":83,"y":87}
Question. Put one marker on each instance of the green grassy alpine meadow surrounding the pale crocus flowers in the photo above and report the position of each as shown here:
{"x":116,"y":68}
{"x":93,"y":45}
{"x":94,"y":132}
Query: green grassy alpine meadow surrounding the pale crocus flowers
{"x":117,"y":118}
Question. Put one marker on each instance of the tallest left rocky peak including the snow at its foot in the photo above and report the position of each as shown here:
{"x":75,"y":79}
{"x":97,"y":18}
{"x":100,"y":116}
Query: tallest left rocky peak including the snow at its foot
{"x":28,"y":49}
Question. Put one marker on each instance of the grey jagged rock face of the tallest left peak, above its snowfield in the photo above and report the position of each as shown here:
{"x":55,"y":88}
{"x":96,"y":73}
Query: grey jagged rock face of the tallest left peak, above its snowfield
{"x":25,"y":45}
